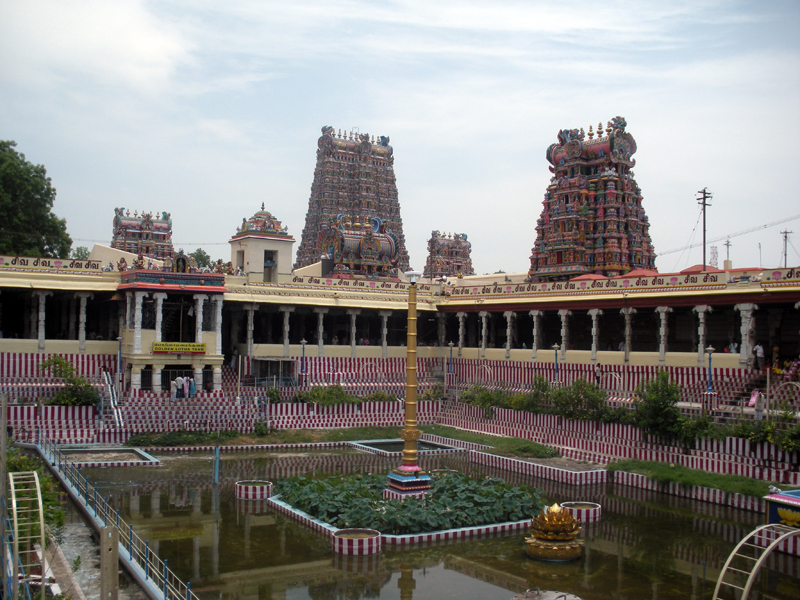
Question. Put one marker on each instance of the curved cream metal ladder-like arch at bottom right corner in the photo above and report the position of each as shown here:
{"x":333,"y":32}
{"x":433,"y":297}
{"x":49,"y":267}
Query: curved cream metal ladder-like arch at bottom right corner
{"x":749,"y":555}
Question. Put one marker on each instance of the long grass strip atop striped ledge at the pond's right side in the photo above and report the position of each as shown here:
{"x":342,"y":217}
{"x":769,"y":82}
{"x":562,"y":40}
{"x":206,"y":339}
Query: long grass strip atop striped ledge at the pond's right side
{"x":664,"y":473}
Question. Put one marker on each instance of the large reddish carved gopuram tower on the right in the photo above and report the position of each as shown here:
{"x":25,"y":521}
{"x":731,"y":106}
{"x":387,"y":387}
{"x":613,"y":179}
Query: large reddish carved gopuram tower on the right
{"x":592,"y":219}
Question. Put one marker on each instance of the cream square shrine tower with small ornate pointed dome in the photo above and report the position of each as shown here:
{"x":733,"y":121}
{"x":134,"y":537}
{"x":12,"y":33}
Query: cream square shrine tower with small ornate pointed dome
{"x":261,"y":248}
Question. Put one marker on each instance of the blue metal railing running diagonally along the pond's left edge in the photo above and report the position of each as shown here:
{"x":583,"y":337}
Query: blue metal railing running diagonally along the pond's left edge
{"x":136,"y":550}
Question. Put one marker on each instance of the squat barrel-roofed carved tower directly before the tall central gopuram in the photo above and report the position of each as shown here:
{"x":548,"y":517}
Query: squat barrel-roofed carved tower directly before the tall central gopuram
{"x":353,"y":250}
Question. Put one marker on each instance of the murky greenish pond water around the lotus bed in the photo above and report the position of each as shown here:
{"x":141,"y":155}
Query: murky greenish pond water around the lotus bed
{"x":647,"y":546}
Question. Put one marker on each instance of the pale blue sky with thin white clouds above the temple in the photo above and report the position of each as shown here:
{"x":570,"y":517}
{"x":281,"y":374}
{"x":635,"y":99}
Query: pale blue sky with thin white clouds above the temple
{"x":206,"y":109}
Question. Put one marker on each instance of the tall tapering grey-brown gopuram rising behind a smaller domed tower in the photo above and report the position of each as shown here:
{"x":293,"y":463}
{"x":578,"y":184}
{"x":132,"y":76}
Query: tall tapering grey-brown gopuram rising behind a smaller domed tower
{"x":353,"y":182}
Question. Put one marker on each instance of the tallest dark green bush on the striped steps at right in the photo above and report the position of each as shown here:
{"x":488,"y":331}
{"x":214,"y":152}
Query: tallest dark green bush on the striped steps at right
{"x":657,"y":412}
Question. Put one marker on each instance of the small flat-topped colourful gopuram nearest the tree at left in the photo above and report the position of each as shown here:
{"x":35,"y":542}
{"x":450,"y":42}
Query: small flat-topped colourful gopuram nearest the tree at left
{"x":143,"y":234}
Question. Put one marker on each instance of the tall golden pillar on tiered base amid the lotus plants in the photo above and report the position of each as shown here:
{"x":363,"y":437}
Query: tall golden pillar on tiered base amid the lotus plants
{"x":409,"y":479}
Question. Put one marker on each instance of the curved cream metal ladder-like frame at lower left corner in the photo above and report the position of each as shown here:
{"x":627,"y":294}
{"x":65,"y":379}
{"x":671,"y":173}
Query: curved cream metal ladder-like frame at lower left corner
{"x":27,"y":520}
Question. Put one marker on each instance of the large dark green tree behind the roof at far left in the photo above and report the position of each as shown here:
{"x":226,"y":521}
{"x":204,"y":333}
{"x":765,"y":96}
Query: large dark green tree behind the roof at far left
{"x":28,"y":226}
